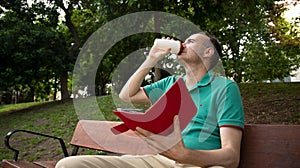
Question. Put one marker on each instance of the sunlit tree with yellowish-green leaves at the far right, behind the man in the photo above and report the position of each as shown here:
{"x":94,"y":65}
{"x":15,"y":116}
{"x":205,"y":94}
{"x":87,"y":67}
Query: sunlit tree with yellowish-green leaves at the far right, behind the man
{"x":275,"y":54}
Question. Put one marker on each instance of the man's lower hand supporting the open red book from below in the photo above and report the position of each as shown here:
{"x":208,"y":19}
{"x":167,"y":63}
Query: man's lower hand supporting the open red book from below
{"x":170,"y":146}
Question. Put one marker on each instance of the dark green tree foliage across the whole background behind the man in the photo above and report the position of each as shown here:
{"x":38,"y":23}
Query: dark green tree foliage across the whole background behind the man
{"x":39,"y":51}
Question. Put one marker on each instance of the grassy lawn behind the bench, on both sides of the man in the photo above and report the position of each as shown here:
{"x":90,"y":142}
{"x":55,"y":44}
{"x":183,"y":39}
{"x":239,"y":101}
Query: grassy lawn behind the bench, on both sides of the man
{"x":276,"y":103}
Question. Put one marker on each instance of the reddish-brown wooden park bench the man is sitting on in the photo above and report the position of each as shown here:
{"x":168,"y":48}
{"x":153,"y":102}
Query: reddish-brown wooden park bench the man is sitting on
{"x":263,"y":146}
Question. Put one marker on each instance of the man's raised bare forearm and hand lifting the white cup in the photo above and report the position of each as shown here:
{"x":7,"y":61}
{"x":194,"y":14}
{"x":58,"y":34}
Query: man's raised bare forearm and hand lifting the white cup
{"x":132,"y":91}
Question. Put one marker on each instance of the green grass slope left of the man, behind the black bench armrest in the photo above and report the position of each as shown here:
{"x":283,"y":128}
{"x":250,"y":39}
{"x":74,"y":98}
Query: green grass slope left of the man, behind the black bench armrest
{"x":54,"y":118}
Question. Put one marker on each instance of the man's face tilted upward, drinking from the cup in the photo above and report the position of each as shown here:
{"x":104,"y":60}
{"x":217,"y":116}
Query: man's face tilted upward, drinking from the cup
{"x":194,"y":48}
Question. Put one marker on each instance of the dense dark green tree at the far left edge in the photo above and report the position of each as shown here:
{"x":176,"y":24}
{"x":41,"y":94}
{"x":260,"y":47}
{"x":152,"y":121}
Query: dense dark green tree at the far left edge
{"x":29,"y":42}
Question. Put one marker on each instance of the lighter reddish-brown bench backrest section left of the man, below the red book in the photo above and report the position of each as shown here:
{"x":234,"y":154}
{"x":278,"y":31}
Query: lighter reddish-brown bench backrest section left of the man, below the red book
{"x":97,"y":135}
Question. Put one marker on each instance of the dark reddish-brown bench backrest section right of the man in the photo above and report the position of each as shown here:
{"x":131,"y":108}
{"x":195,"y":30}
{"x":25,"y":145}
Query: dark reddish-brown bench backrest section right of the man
{"x":271,"y":146}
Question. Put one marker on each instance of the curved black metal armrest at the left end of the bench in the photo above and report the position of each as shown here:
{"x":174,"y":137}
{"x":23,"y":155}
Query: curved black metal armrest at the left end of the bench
{"x":16,"y":152}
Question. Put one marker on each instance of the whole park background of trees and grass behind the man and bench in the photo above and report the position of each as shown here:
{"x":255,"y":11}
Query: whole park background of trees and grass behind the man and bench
{"x":41,"y":40}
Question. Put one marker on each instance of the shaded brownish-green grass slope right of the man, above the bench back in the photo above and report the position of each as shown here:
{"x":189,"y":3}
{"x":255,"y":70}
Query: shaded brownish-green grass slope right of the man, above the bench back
{"x":271,"y":103}
